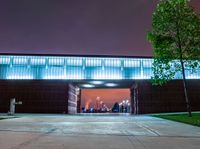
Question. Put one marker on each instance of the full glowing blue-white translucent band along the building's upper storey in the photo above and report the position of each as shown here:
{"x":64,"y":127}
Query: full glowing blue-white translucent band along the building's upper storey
{"x":79,"y":68}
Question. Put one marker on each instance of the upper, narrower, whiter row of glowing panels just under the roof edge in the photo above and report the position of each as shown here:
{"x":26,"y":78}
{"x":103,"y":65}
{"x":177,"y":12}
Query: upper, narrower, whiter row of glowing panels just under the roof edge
{"x":77,"y":61}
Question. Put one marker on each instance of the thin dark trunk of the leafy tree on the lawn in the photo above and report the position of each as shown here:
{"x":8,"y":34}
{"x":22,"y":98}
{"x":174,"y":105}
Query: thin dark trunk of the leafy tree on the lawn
{"x":188,"y":103}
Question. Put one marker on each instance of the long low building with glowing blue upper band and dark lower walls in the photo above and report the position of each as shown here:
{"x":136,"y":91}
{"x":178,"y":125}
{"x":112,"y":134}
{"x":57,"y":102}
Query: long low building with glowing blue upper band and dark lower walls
{"x":52,"y":83}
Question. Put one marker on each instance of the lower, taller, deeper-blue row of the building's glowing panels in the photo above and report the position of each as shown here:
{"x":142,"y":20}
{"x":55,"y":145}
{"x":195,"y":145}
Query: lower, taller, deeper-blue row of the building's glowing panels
{"x":57,"y":73}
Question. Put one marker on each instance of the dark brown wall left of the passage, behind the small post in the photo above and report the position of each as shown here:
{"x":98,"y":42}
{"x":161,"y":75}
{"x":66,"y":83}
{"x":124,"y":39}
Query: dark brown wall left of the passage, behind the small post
{"x":38,"y":96}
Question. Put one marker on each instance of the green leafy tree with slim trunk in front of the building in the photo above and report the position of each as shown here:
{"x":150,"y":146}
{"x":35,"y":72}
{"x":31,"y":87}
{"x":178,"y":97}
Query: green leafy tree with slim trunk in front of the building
{"x":175,"y":38}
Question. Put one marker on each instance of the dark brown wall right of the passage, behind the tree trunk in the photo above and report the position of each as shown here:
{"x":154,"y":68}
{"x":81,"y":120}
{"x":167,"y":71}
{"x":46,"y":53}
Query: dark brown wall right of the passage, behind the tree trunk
{"x":166,"y":98}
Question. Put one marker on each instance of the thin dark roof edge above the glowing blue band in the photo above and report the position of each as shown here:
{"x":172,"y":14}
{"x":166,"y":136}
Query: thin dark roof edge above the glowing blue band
{"x":75,"y":55}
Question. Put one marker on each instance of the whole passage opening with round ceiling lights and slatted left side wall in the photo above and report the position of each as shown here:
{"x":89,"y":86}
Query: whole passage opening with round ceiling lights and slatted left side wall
{"x":100,"y":96}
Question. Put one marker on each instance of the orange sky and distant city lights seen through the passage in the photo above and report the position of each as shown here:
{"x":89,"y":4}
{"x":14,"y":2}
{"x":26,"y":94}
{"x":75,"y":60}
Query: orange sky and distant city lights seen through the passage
{"x":105,"y":100}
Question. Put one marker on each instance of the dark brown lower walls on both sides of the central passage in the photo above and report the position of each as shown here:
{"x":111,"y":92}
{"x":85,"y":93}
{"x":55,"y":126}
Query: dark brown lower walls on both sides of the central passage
{"x":53,"y":96}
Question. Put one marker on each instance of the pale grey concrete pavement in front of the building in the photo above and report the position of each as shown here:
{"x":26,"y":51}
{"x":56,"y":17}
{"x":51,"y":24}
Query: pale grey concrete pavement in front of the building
{"x":96,"y":132}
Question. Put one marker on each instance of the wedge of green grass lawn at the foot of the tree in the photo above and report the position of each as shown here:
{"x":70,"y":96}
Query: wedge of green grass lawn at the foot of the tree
{"x":183,"y":118}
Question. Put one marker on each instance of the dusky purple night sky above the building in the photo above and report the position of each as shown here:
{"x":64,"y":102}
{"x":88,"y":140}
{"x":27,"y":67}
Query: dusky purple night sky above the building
{"x":102,"y":27}
